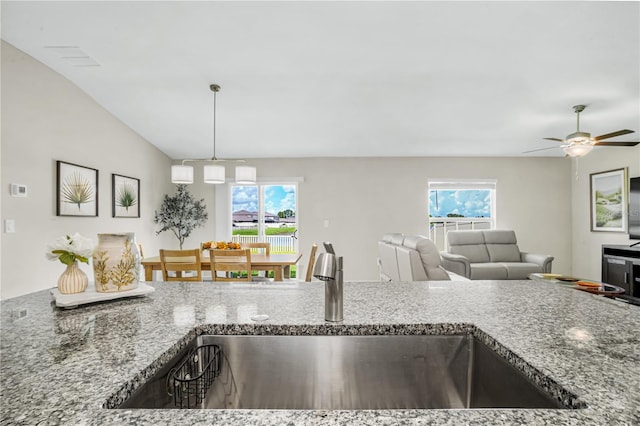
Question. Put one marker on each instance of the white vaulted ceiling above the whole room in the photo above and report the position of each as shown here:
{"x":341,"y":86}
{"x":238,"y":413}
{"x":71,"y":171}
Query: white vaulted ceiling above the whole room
{"x":309,"y":79}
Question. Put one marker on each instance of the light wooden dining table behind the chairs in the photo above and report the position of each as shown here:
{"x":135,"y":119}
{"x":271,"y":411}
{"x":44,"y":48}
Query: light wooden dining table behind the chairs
{"x":279,"y":263}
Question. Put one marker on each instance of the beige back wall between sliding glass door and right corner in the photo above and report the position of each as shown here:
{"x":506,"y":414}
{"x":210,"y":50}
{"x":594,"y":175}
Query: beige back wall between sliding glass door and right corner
{"x":363,"y":198}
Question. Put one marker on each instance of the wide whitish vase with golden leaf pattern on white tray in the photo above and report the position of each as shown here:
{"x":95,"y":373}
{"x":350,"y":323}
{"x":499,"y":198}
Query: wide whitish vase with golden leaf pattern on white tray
{"x":116,"y":263}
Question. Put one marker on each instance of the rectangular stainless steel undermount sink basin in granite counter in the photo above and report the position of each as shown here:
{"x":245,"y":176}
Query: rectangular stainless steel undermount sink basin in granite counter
{"x":353,"y":373}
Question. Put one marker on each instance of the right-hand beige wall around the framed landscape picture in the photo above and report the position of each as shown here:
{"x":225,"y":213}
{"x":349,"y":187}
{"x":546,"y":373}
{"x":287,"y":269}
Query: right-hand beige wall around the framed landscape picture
{"x":587,"y":245}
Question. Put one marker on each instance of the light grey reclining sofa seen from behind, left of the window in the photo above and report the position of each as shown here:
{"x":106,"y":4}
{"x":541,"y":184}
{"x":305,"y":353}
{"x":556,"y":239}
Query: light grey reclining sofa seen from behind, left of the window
{"x":410,"y":258}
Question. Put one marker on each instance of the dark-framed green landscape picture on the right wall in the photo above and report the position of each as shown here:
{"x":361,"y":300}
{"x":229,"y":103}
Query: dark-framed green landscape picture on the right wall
{"x":609,"y":200}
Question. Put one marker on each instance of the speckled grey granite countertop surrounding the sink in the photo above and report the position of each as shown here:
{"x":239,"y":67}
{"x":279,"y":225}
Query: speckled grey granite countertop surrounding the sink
{"x":63,"y":366}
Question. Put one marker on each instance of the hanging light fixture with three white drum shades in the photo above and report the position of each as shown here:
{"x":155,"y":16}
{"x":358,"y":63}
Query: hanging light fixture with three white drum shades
{"x":213,"y":173}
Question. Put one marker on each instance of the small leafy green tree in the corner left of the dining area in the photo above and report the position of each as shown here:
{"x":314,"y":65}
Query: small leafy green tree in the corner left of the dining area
{"x":181,"y":214}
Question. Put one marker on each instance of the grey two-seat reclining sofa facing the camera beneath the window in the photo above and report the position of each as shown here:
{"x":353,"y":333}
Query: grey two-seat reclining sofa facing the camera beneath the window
{"x":491,"y":255}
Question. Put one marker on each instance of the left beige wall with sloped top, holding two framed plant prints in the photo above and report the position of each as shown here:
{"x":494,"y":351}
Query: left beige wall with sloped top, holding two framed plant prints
{"x":46,"y":118}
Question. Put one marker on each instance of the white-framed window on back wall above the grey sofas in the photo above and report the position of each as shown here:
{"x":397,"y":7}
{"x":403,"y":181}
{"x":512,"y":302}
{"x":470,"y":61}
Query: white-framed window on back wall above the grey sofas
{"x":460,"y":204}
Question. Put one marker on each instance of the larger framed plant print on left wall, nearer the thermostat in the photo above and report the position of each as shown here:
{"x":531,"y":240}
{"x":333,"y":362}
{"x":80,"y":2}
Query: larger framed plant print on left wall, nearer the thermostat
{"x":76,"y":190}
